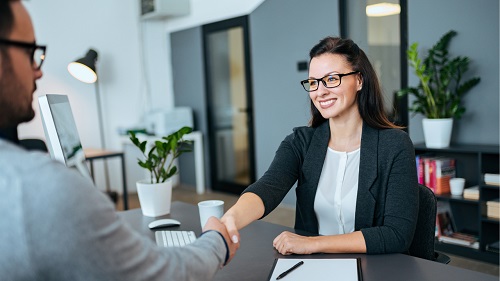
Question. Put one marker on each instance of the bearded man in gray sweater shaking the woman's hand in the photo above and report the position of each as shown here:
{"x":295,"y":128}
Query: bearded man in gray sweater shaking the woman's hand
{"x":53,"y":225}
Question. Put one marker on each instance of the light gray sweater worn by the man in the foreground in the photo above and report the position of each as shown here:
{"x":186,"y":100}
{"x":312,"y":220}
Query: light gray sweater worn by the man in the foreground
{"x":54,"y":225}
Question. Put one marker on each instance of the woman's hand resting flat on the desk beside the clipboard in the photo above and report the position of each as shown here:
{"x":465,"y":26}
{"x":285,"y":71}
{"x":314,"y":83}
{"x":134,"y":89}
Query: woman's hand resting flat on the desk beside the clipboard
{"x":290,"y":243}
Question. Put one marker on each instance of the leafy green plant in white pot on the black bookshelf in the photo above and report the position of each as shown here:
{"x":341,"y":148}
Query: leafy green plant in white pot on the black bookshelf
{"x":440,"y":90}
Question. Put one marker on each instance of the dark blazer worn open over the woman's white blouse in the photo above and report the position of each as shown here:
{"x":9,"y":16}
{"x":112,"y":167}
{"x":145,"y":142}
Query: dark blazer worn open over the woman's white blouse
{"x":387,"y":199}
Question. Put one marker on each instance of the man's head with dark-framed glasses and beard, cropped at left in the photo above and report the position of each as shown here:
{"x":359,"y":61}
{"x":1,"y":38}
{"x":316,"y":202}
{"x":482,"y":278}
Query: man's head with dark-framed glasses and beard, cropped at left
{"x":18,"y":71}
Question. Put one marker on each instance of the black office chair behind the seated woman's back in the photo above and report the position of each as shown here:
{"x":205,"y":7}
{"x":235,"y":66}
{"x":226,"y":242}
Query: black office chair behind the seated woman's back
{"x":422,"y":245}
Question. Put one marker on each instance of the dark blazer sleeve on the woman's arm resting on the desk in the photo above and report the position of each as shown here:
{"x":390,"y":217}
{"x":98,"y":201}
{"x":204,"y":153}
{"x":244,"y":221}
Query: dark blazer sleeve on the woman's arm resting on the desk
{"x":400,"y":211}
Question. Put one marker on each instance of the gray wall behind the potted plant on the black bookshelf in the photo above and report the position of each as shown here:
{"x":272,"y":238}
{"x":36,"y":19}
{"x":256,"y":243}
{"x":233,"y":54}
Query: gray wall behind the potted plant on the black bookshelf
{"x":476,"y":23}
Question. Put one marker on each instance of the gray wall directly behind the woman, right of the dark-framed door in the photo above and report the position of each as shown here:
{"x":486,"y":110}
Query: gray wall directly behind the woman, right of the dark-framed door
{"x":282,"y":33}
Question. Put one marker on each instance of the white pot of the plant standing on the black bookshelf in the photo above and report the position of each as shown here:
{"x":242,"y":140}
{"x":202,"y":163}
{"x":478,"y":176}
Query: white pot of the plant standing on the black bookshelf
{"x":437,"y":132}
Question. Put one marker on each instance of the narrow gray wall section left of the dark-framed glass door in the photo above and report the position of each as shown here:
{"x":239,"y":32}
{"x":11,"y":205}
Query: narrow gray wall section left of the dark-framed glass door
{"x":189,"y":88}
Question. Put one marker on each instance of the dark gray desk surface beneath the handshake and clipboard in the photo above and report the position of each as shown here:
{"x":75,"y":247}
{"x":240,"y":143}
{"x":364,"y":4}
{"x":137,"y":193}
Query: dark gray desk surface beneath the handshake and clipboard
{"x":254,"y":259}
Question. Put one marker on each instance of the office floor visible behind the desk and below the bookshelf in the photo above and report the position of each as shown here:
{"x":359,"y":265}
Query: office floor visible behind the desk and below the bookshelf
{"x":286,"y":216}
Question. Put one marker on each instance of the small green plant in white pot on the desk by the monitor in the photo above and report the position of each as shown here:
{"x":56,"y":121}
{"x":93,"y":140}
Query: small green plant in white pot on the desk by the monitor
{"x":155,"y":193}
